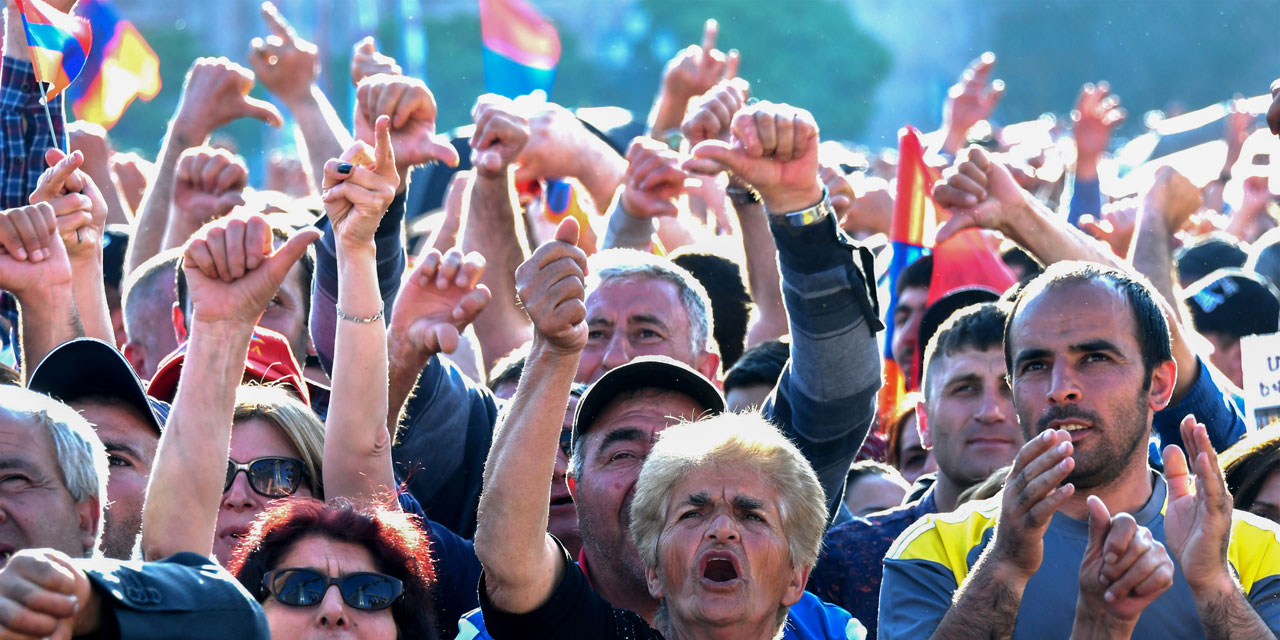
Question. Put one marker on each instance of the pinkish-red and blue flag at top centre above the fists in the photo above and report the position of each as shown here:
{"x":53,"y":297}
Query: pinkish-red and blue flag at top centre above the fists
{"x":522,"y":48}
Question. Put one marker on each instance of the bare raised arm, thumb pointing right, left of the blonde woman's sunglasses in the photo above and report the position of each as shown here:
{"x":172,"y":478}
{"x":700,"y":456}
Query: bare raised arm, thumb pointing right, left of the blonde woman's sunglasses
{"x":232,"y":275}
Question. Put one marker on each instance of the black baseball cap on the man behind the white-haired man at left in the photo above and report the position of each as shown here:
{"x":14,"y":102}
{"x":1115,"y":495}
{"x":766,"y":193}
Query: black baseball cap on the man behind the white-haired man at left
{"x":90,"y":368}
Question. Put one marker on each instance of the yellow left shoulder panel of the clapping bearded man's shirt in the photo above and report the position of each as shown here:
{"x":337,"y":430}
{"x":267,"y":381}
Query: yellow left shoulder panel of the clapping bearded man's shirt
{"x":948,"y":538}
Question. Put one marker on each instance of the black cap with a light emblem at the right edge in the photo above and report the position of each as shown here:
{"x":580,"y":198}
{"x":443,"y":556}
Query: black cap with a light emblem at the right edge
{"x":1236,"y":303}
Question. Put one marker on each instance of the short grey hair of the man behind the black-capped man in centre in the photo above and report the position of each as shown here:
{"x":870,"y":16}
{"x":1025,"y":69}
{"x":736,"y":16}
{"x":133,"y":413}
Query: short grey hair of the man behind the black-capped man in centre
{"x":625,"y":264}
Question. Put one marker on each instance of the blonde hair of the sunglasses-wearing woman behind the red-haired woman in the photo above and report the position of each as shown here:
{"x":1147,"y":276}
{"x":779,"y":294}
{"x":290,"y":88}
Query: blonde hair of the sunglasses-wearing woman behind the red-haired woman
{"x":296,"y":420}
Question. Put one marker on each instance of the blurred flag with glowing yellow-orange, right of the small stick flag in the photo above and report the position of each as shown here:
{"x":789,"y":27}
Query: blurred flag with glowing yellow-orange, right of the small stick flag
{"x":118,"y":72}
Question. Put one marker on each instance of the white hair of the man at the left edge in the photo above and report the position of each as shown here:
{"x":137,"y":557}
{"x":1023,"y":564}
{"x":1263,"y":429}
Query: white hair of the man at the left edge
{"x":80,"y":454}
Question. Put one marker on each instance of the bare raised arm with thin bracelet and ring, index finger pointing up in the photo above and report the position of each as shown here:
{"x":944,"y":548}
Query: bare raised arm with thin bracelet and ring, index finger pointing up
{"x":358,"y":452}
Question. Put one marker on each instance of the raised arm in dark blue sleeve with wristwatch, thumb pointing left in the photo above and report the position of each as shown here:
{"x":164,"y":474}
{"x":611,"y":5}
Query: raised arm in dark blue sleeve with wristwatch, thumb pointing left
{"x":826,"y":399}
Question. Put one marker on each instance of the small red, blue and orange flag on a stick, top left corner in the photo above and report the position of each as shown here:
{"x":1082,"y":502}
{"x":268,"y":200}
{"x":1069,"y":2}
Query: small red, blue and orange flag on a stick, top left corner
{"x":60,"y":44}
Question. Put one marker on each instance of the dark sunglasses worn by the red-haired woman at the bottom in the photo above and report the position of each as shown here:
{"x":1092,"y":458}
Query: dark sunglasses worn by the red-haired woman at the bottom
{"x":307,"y":588}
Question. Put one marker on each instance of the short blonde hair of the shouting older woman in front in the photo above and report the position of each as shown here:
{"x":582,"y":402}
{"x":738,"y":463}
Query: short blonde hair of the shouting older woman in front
{"x":743,"y":441}
